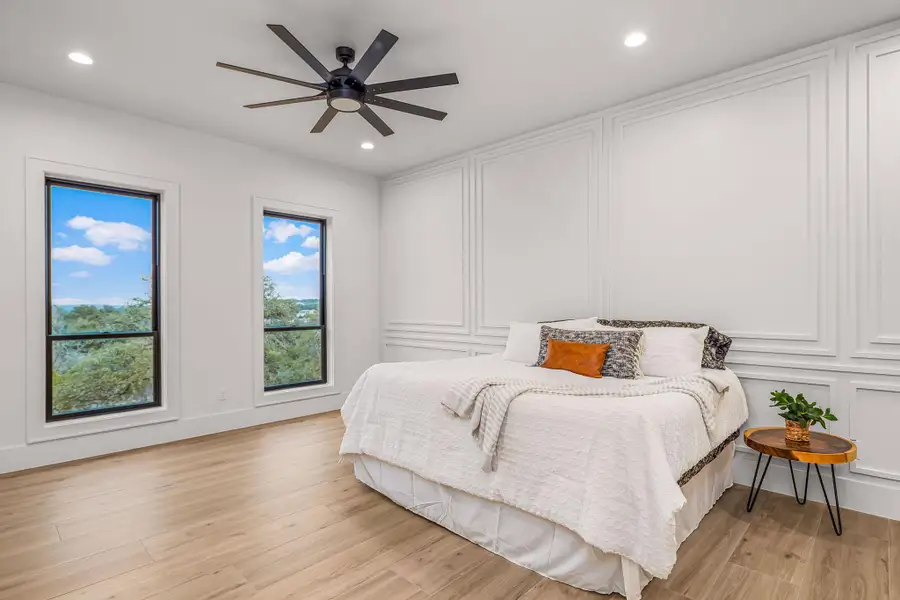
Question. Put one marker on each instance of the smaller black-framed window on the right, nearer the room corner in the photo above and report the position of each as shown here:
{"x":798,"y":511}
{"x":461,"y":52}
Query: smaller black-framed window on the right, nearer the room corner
{"x":294,"y":339}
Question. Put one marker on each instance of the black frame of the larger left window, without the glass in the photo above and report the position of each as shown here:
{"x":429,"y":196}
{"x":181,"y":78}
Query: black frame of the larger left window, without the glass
{"x":153,"y":333}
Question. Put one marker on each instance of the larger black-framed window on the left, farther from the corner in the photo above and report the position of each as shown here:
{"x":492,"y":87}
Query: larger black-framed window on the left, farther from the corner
{"x":102,"y":313}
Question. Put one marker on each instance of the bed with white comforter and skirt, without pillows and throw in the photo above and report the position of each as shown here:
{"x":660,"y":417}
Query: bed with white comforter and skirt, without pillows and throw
{"x":596,"y":492}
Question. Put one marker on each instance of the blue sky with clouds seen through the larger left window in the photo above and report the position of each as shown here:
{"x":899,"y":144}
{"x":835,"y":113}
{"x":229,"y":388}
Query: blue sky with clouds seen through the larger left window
{"x":100,"y":247}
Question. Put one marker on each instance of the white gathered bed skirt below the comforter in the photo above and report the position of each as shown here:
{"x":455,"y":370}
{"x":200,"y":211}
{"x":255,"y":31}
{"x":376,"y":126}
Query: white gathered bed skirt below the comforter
{"x":531,"y":541}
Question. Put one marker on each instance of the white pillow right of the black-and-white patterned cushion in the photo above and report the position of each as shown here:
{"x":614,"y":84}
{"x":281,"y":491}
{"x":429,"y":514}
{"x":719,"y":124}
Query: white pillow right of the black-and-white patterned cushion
{"x":671,"y":351}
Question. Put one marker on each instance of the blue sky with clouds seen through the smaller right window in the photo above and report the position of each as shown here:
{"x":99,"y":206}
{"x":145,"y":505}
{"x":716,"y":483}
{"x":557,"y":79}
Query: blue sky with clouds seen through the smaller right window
{"x":291,"y":256}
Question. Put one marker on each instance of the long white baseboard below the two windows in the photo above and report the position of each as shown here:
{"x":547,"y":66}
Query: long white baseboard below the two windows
{"x":29,"y":456}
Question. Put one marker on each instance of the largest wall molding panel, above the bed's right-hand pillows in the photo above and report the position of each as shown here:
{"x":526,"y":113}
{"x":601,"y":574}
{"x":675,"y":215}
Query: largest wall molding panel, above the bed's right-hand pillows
{"x":719,"y":203}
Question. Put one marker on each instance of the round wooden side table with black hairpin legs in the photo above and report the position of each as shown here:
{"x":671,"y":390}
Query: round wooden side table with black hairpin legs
{"x":822,"y":449}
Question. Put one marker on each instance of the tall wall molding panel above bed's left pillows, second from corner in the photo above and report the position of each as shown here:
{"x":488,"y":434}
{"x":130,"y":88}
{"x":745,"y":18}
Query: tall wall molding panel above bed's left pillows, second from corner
{"x":535,"y":205}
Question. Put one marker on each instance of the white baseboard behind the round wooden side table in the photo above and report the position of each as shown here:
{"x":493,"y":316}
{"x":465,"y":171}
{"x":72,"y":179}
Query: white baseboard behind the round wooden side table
{"x":857,"y":492}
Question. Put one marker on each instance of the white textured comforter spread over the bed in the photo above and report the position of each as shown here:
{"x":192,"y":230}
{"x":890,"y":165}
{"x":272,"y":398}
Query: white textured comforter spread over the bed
{"x":606,"y":468}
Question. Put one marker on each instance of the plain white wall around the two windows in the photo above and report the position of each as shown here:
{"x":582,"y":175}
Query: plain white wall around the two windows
{"x":217,"y":180}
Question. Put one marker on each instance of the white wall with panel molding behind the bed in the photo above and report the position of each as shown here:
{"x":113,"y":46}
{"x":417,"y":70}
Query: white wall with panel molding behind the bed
{"x":765,"y":201}
